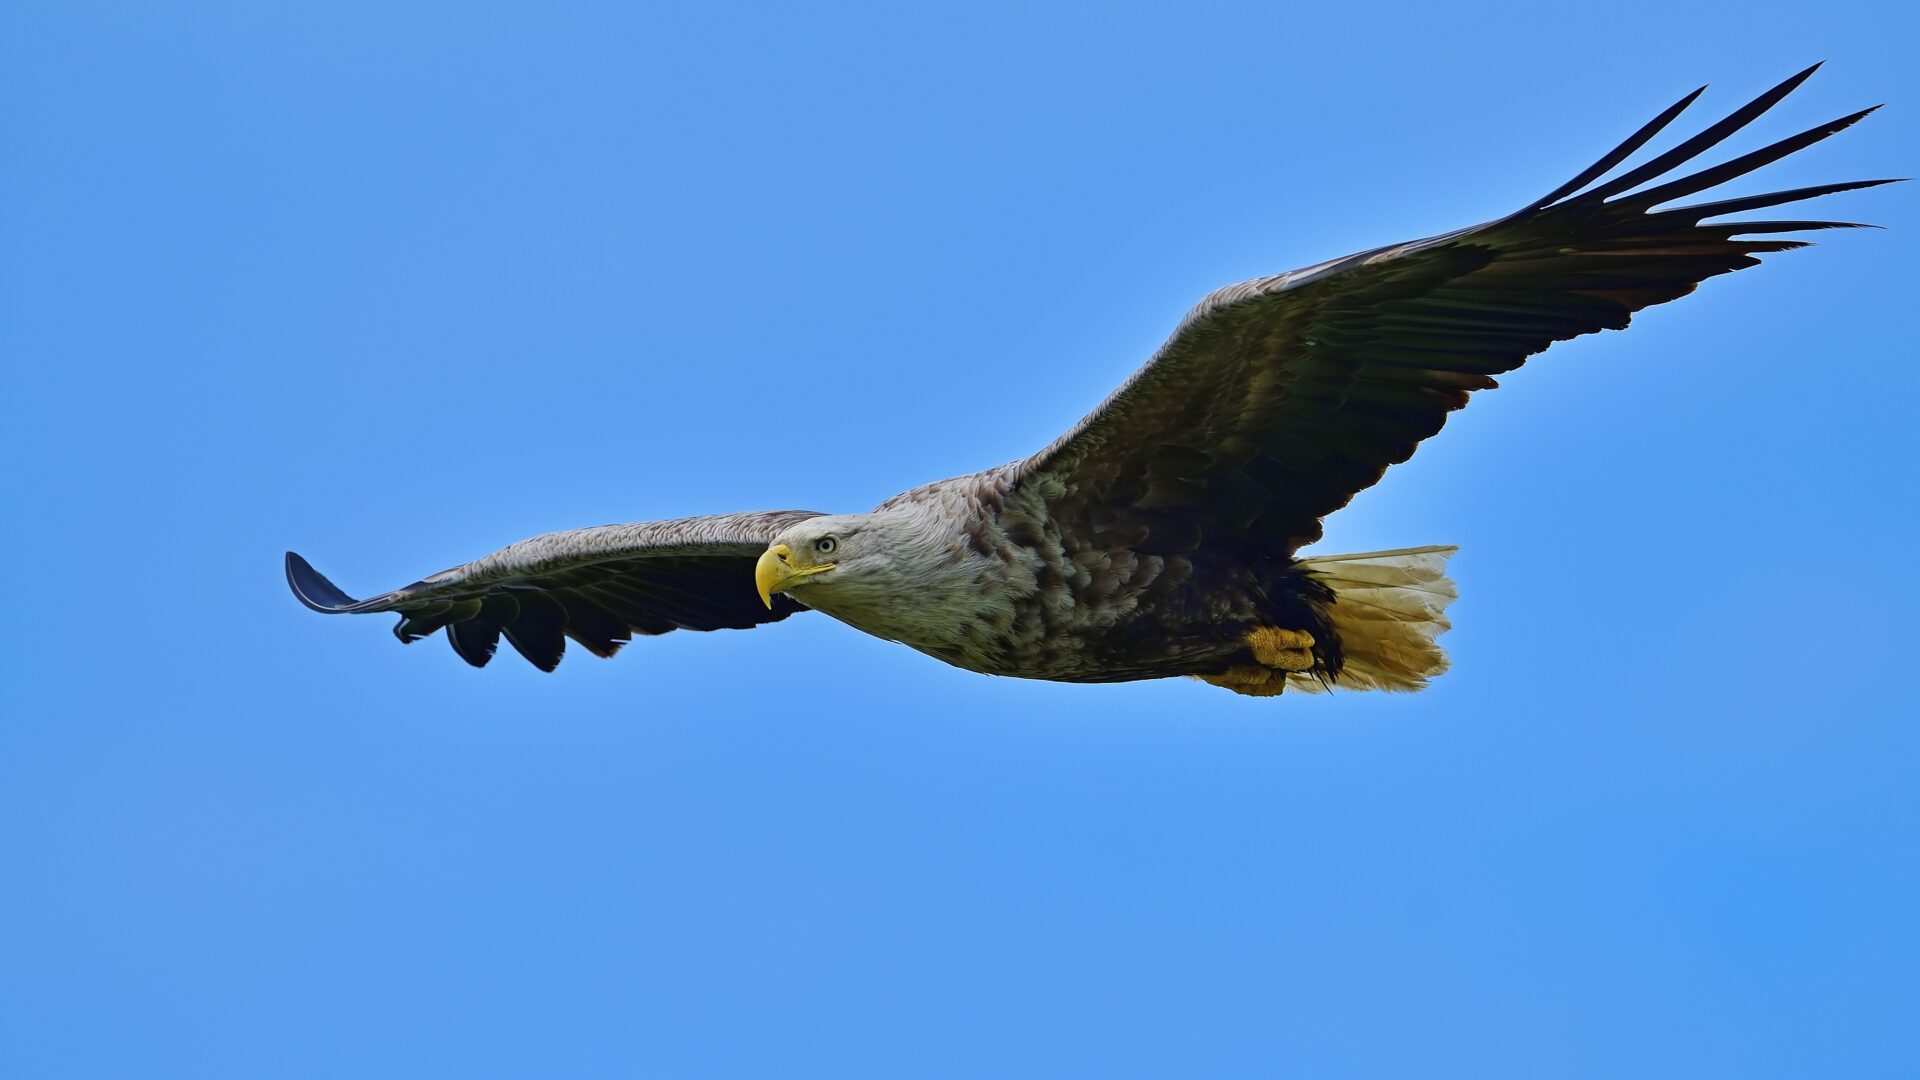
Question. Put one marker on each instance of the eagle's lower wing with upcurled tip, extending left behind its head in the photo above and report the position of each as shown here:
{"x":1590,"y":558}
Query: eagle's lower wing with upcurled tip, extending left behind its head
{"x":598,"y":587}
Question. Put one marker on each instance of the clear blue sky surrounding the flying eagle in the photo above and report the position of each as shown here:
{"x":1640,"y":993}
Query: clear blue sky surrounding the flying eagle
{"x":396,"y":285}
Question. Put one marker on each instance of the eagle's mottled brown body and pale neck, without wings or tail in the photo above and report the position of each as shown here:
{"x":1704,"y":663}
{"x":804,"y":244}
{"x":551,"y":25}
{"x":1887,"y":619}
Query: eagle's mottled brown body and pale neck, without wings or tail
{"x":1003,"y":587}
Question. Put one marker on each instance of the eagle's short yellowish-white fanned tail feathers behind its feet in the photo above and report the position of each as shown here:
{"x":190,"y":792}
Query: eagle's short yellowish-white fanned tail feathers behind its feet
{"x":1389,"y":608}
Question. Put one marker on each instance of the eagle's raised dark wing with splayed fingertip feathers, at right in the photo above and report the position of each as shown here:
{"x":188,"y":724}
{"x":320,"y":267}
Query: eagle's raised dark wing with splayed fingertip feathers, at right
{"x":1282,"y":399}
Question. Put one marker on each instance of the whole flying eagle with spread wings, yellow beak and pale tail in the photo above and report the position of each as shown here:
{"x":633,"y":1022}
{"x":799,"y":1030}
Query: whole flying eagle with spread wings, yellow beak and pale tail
{"x":1161,"y":537}
